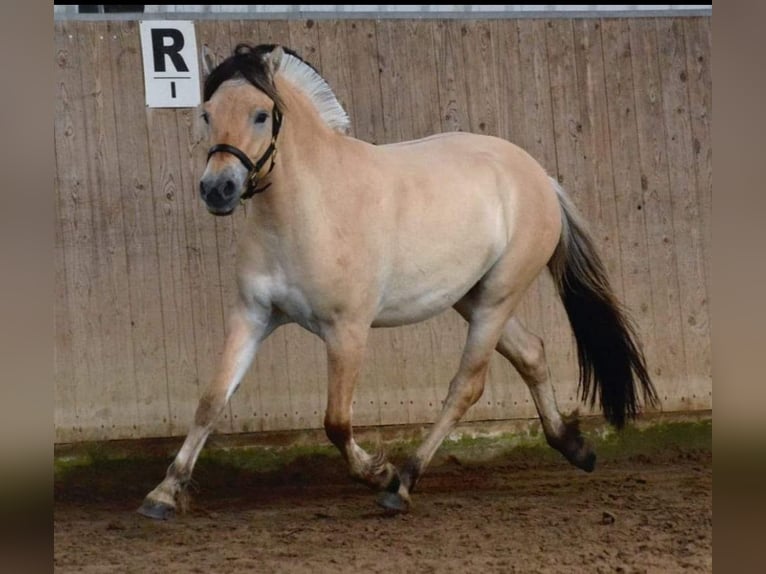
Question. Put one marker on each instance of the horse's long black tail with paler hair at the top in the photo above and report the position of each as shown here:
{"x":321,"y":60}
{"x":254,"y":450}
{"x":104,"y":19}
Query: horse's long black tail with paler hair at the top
{"x":608,"y":350}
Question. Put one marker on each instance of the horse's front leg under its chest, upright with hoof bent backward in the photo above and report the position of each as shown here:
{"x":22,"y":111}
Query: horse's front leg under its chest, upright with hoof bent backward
{"x":345,"y":353}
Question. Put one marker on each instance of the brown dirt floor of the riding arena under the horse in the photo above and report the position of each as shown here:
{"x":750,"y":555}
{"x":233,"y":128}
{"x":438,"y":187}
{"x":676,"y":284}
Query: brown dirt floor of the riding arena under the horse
{"x":644,"y":510}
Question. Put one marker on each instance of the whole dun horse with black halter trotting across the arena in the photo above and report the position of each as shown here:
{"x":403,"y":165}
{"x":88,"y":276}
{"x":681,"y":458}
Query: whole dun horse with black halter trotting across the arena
{"x":344,"y":236}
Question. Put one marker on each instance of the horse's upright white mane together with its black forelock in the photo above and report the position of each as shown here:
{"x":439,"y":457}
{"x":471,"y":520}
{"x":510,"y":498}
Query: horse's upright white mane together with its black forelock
{"x":248,"y":62}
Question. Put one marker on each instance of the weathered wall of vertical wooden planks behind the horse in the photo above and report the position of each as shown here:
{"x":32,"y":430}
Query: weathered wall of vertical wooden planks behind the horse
{"x":619,"y":109}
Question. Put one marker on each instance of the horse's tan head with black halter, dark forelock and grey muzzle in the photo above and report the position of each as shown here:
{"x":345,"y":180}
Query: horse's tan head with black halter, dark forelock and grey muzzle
{"x":242,"y":110}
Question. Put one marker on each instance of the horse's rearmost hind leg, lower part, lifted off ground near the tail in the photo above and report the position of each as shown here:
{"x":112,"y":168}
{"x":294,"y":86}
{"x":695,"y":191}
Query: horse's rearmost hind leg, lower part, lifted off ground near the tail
{"x":527,"y":354}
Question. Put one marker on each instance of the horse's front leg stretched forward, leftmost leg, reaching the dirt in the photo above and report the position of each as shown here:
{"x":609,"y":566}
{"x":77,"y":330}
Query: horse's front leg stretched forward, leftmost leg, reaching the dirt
{"x":247,"y":328}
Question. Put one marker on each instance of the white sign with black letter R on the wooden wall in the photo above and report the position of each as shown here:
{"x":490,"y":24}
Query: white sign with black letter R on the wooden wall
{"x":171,"y":70}
